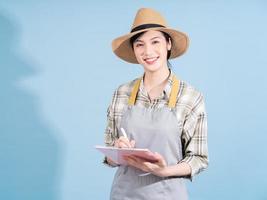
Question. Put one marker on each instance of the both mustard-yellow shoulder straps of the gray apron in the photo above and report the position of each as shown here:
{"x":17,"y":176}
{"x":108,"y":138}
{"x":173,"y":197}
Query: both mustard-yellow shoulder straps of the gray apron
{"x":173,"y":95}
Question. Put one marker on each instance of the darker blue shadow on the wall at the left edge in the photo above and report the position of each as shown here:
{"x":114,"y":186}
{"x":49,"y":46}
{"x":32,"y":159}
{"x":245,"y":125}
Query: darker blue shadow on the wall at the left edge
{"x":29,"y":154}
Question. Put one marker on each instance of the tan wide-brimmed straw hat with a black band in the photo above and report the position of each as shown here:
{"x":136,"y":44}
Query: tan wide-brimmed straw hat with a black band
{"x":149,"y":19}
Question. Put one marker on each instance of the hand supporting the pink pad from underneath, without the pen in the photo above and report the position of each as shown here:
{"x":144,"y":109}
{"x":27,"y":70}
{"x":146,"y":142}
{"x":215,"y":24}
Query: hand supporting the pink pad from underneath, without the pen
{"x":158,"y":168}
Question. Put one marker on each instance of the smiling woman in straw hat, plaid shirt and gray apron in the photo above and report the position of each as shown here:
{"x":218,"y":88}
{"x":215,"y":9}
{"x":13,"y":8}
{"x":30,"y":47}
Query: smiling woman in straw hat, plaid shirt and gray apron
{"x":158,"y":112}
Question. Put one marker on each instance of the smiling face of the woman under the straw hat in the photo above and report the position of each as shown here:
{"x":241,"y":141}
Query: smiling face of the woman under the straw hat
{"x":151,"y":50}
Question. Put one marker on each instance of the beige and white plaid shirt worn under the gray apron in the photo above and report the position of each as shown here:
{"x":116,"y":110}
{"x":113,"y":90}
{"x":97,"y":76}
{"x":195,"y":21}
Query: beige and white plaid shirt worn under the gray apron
{"x":190,"y":112}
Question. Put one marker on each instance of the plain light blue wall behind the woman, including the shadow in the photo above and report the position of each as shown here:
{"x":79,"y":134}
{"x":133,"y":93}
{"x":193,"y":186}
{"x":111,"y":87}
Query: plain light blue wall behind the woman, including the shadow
{"x":58,"y":73}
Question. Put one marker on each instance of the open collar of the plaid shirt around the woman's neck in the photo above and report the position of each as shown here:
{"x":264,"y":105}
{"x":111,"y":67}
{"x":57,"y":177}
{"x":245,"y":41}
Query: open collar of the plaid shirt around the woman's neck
{"x":167,"y":89}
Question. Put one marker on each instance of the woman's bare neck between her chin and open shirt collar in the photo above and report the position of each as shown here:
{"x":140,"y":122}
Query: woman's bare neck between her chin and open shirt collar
{"x":155,"y":78}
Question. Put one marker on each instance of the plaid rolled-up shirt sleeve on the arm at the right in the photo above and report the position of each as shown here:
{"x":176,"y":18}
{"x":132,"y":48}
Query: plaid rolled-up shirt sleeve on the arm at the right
{"x":194,"y":137}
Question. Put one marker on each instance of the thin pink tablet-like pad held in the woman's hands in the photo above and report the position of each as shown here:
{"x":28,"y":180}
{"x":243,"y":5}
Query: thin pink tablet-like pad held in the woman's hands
{"x":116,"y":154}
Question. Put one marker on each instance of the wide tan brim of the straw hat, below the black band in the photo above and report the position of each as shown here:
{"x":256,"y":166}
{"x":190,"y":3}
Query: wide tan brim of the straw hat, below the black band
{"x":122,"y":48}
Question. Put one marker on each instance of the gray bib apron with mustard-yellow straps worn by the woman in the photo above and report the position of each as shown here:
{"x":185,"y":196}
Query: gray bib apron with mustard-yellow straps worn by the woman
{"x":156,"y":129}
